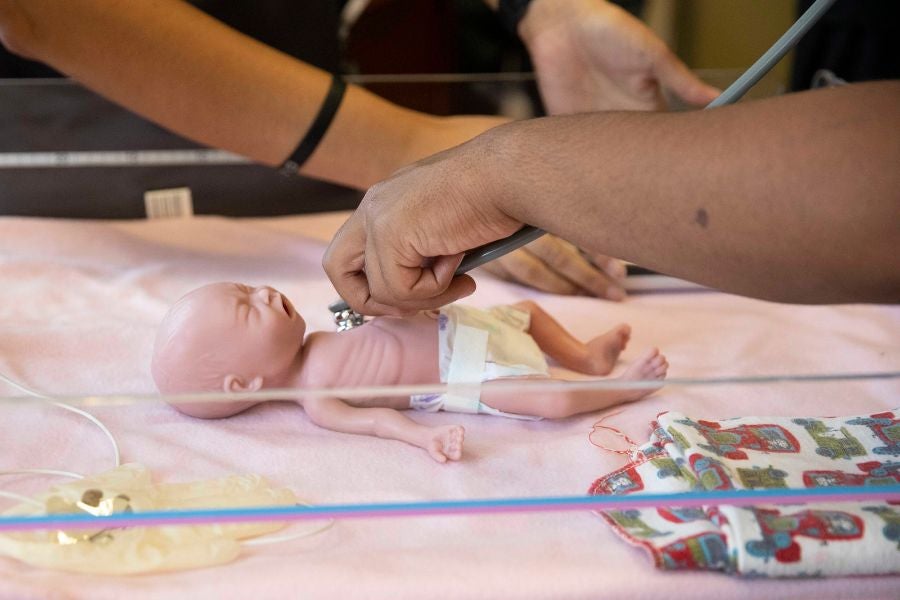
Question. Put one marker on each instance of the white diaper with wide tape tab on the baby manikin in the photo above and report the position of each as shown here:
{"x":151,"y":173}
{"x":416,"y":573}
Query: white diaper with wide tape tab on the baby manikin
{"x":476,"y":345}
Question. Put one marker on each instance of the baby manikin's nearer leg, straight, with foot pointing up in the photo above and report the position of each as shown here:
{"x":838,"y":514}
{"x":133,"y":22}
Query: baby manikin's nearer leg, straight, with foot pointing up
{"x":557,"y":405}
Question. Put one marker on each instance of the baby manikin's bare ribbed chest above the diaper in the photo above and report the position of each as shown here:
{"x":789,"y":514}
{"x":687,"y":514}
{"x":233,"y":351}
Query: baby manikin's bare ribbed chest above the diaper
{"x":384,"y":351}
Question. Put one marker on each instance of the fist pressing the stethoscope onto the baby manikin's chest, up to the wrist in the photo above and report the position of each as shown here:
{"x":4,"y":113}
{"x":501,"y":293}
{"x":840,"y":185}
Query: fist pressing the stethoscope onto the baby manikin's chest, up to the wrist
{"x":398,"y":252}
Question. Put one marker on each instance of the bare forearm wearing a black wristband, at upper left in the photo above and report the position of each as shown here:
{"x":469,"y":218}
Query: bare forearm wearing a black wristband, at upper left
{"x":186,"y":71}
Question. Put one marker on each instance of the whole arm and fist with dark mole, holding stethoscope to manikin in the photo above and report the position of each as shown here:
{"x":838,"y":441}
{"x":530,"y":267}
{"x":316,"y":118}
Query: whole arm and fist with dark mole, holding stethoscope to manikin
{"x":793,"y":199}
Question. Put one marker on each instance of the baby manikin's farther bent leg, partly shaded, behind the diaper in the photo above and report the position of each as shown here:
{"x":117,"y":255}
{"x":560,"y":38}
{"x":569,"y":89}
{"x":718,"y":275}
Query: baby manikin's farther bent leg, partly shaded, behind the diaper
{"x":597,"y":357}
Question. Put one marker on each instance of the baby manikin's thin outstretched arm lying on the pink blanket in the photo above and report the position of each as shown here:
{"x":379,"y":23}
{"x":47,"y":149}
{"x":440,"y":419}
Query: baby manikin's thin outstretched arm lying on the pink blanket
{"x":442,"y":443}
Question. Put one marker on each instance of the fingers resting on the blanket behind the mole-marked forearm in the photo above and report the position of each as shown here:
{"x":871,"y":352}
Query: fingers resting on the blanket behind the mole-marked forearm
{"x":552,"y":264}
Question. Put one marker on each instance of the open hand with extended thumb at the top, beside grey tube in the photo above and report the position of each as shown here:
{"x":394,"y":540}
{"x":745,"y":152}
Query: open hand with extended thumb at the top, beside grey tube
{"x":591,"y":55}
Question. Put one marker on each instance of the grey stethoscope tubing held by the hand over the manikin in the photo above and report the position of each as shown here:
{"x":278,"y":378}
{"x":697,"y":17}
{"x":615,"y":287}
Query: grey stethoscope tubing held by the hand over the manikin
{"x":488,"y":252}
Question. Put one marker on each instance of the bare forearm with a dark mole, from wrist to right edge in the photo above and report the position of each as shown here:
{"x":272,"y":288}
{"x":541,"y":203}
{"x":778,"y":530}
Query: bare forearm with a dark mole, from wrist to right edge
{"x":792,"y":199}
